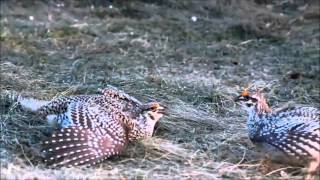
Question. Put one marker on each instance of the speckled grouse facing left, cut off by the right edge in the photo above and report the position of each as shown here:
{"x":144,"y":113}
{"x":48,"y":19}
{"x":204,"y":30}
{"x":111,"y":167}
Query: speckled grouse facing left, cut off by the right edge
{"x":292,"y":134}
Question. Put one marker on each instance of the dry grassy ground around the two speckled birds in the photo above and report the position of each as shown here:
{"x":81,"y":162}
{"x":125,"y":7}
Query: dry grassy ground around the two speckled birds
{"x":193,"y":56}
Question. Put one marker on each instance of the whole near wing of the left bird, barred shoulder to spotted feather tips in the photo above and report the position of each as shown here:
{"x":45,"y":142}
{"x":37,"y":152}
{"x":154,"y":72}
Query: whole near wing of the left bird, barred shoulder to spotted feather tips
{"x":96,"y":134}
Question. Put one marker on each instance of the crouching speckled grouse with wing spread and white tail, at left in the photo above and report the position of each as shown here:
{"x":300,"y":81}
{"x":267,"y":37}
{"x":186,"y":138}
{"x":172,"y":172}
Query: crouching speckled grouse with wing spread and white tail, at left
{"x":94,"y":127}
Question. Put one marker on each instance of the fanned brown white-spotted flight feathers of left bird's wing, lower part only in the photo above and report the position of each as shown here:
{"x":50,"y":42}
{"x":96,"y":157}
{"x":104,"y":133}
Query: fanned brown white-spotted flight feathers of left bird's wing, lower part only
{"x":80,"y":146}
